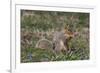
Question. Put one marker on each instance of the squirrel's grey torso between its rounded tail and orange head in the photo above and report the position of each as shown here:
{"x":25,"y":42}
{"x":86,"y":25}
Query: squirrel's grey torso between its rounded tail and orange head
{"x":59,"y":41}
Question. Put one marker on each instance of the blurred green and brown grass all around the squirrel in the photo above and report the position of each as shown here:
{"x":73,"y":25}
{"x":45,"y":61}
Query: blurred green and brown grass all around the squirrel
{"x":38,"y":24}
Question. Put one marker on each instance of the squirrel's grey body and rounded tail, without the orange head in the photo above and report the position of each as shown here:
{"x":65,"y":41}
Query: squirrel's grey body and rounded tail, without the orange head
{"x":58,"y":43}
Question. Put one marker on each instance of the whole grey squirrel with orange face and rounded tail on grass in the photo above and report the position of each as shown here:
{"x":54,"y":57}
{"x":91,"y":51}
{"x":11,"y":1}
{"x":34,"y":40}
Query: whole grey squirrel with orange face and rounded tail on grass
{"x":59,"y":42}
